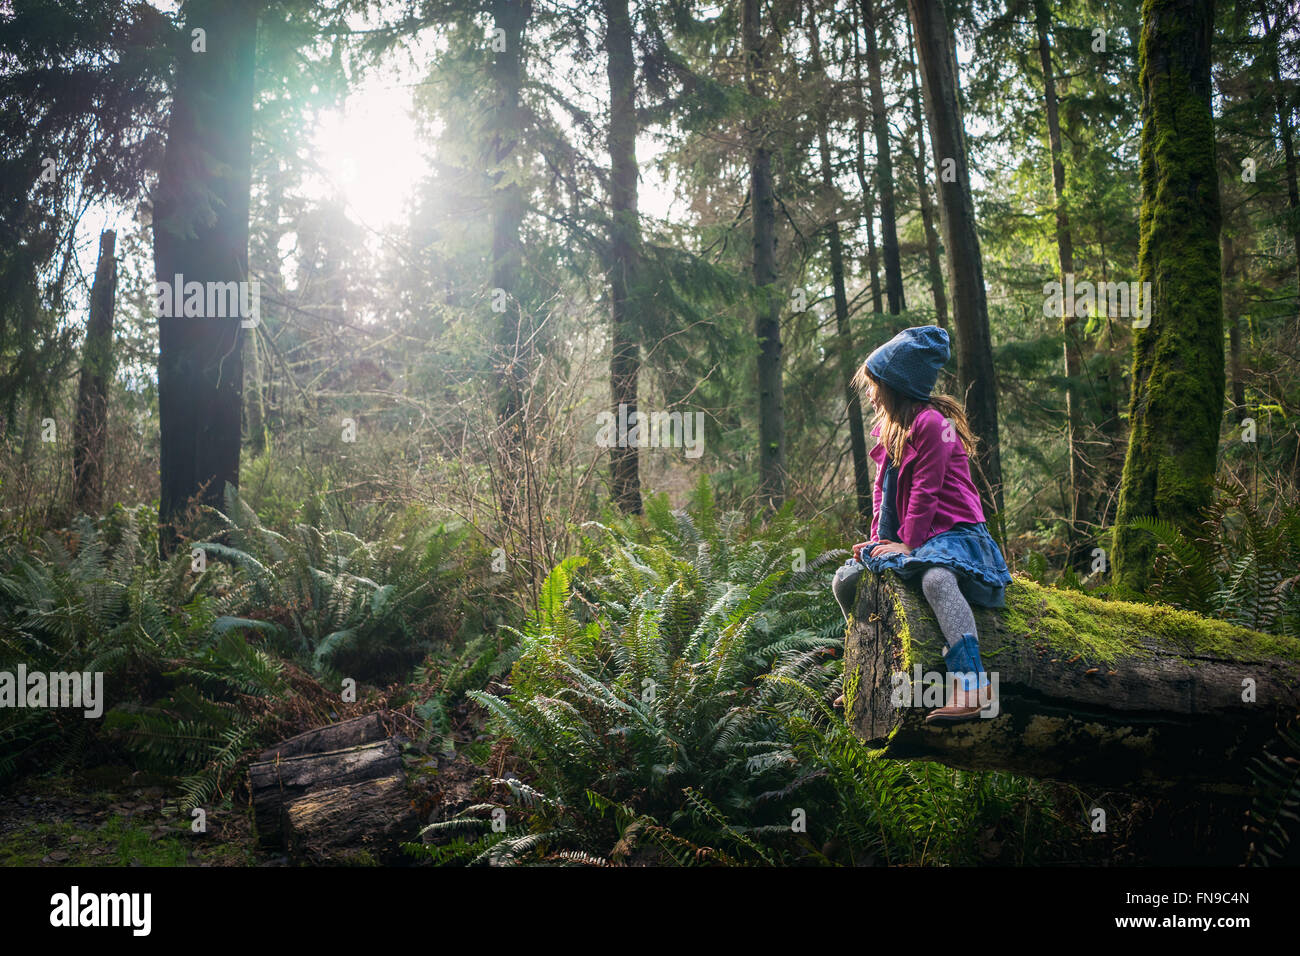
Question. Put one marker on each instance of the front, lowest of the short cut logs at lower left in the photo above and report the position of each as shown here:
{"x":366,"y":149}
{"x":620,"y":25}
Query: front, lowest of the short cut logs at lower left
{"x":357,"y":824}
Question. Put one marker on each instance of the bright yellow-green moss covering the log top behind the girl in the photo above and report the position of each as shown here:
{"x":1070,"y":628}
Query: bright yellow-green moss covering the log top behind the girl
{"x":1108,"y":631}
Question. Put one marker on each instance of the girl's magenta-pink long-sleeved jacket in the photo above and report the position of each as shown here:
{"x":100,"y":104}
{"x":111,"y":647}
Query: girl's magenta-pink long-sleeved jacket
{"x":935,"y":488}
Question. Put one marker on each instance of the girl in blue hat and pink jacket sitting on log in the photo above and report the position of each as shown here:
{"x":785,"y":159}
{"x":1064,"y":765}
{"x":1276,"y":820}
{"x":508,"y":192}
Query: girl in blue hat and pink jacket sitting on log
{"x":929,"y":524}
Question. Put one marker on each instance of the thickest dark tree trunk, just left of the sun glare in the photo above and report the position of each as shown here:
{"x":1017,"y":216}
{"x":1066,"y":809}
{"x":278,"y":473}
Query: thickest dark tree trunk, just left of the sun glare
{"x":201,"y":235}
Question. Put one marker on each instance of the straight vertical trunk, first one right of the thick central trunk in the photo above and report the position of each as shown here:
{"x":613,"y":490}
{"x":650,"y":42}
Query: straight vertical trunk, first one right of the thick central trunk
{"x":768,"y":325}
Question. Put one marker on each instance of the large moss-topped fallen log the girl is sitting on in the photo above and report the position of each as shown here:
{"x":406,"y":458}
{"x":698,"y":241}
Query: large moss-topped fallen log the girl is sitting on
{"x":1095,"y":693}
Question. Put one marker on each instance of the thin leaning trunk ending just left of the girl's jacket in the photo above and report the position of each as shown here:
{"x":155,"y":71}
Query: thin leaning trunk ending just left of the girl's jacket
{"x":844,"y":338}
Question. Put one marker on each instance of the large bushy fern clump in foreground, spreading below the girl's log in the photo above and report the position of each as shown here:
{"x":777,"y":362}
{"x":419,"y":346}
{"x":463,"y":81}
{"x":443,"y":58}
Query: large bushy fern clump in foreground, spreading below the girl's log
{"x":670,"y":706}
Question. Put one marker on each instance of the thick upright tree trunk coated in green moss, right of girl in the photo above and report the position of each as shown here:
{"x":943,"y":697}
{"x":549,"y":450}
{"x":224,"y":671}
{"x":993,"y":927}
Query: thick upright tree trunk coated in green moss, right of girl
{"x":1178,"y":360}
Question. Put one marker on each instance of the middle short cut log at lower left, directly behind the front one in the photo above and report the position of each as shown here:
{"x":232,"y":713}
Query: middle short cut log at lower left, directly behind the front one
{"x":276,"y":784}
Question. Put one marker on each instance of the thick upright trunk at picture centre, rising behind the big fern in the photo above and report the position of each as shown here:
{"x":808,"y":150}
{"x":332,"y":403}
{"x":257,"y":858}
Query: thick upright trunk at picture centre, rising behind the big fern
{"x":625,"y":250}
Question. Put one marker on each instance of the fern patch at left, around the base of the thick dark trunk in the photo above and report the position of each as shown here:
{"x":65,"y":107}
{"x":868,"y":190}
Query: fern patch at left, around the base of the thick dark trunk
{"x":202,"y":668}
